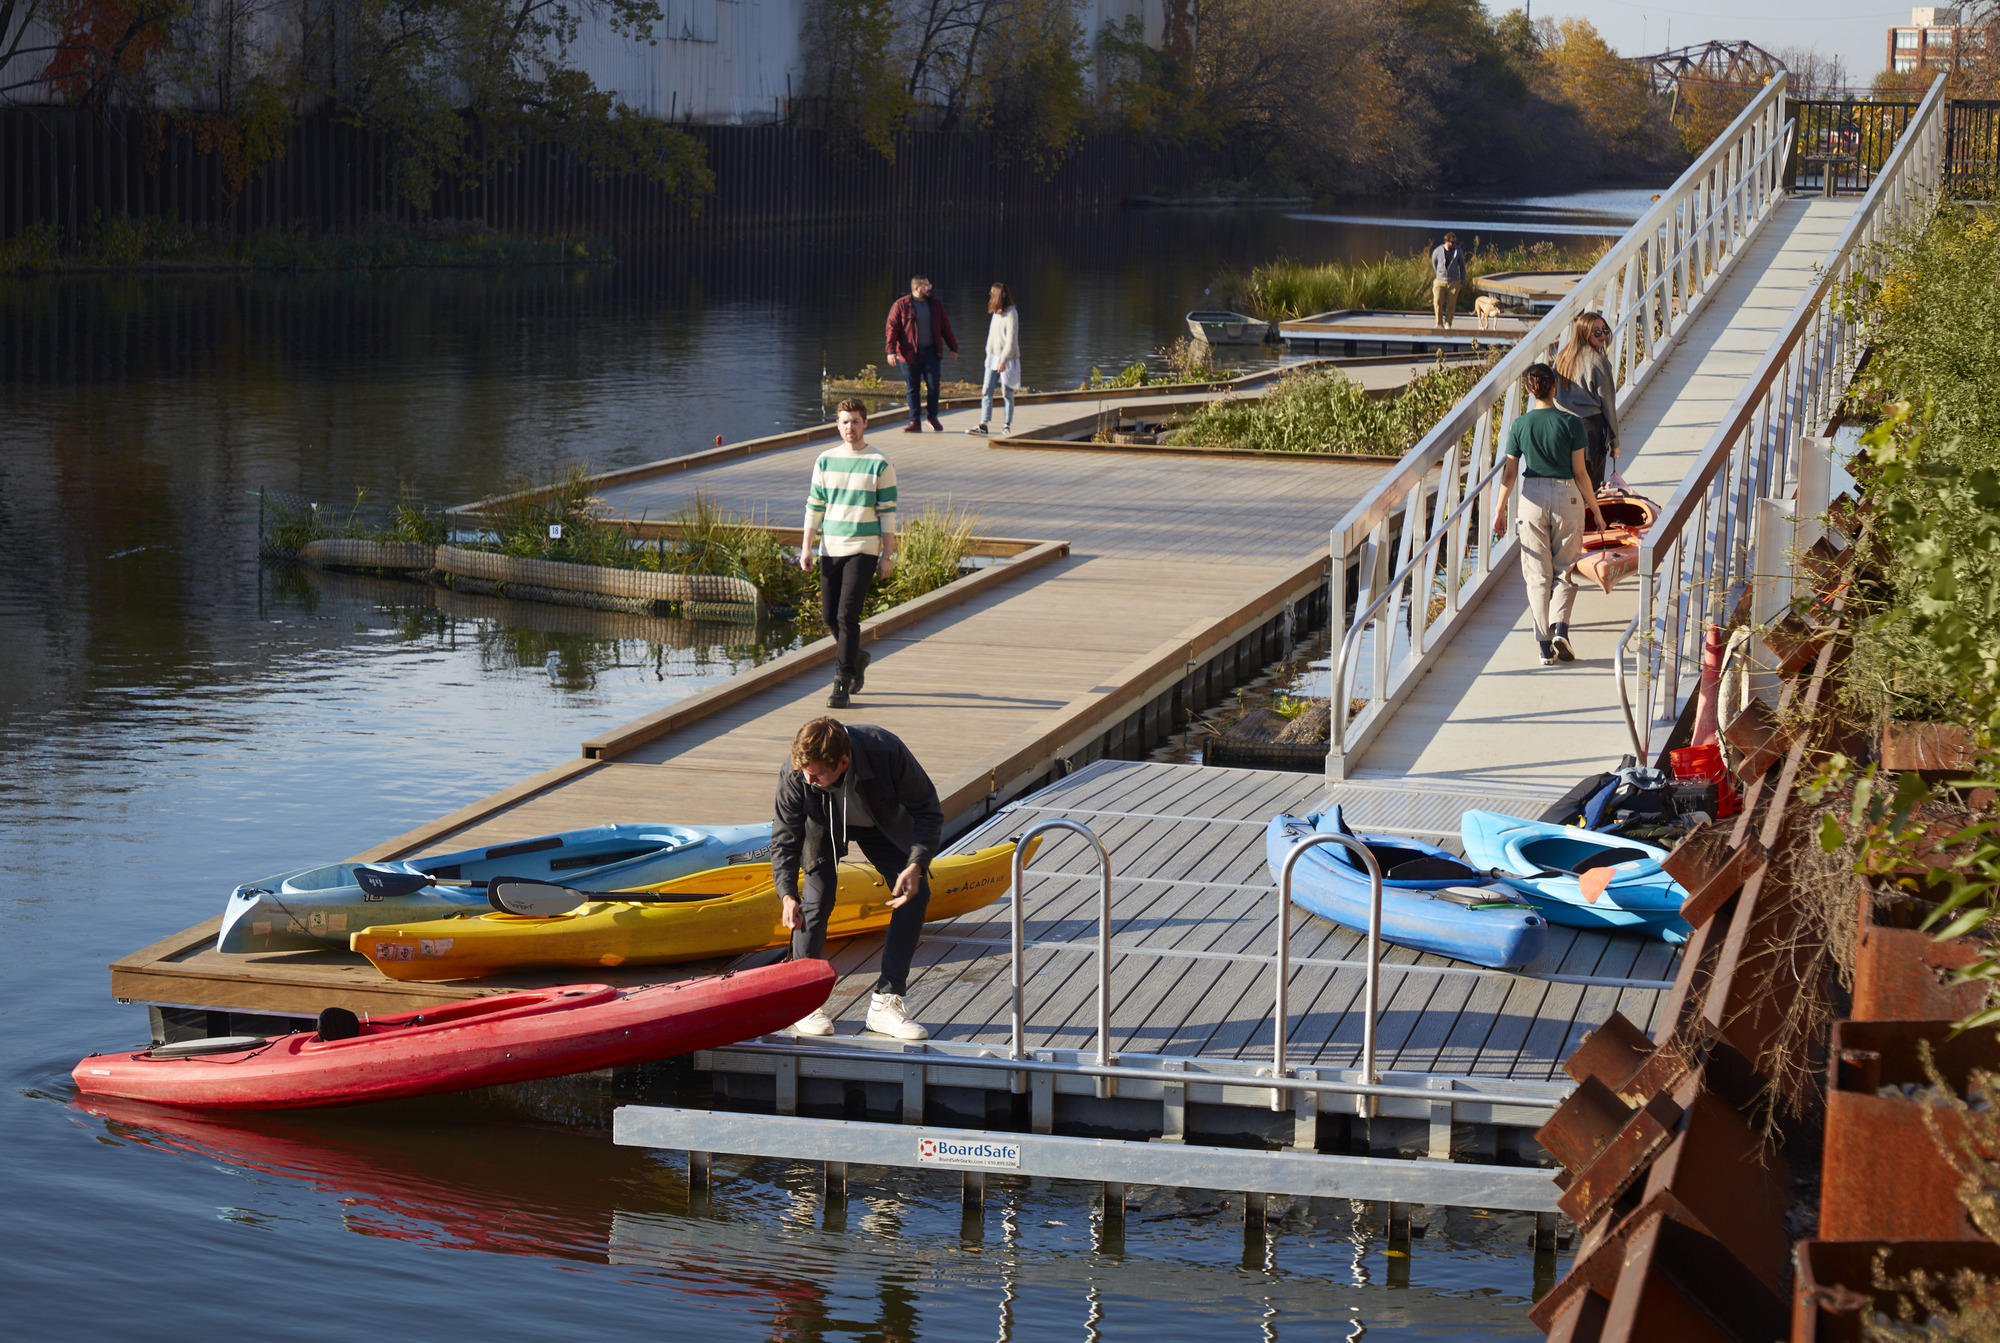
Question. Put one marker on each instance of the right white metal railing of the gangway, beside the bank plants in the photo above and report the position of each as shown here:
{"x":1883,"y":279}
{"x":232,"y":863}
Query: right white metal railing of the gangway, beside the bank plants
{"x":1703,"y":553}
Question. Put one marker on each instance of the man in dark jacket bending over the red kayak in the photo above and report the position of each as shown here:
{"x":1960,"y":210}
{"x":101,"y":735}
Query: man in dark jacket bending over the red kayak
{"x":863,"y":784}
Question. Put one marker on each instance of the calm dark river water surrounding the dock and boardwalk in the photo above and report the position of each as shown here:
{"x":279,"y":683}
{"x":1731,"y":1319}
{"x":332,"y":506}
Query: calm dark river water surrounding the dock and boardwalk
{"x":177,"y":718}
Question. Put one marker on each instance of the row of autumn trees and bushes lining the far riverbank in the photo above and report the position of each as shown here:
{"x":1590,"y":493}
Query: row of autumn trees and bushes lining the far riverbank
{"x":1277,"y":97}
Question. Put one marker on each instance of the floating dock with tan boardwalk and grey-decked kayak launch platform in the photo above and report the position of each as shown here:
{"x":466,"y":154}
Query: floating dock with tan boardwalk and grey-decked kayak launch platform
{"x":1035,"y":690}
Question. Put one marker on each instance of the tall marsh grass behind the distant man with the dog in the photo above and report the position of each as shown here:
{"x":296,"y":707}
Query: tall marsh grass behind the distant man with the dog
{"x":1285,"y":291}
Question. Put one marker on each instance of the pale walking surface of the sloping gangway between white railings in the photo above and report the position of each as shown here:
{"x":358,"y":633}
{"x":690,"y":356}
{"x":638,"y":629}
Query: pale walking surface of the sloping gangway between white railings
{"x":1489,"y":712}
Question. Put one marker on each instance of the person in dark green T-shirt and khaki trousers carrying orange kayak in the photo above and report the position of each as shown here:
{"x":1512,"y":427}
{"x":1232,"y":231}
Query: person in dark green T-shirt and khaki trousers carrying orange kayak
{"x":1547,"y":451}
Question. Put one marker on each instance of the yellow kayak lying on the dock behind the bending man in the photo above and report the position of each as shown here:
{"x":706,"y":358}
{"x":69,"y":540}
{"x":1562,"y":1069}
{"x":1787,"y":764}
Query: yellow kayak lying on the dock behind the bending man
{"x":733,"y":910}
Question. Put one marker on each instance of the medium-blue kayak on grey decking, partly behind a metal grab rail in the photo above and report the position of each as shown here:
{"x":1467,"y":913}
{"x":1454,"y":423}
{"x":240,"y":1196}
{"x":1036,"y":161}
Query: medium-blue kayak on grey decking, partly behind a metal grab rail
{"x":1431,"y":900}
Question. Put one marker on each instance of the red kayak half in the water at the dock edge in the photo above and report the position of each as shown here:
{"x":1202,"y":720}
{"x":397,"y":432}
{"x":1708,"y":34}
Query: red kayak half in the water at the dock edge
{"x":479,"y":1042}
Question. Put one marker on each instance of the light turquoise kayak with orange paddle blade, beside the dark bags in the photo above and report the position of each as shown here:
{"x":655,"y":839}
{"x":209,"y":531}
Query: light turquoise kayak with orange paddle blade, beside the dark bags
{"x":1545,"y":862}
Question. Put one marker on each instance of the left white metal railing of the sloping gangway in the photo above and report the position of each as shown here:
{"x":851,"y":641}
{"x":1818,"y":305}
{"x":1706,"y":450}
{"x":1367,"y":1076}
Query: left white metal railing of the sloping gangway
{"x":1651,"y":285}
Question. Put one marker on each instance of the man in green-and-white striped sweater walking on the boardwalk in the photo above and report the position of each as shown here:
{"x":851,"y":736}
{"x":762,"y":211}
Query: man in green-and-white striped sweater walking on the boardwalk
{"x":853,"y":511}
